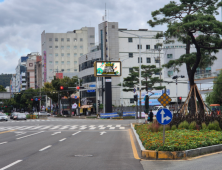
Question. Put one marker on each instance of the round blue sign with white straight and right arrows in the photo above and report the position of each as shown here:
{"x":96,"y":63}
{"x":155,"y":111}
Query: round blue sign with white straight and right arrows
{"x":164,"y":116}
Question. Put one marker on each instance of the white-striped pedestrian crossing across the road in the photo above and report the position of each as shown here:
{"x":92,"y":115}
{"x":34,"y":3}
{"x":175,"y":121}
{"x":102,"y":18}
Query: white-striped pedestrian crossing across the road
{"x":63,"y":127}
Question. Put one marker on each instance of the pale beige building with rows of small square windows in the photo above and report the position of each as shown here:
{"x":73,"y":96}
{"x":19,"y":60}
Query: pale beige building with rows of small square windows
{"x":60,"y":51}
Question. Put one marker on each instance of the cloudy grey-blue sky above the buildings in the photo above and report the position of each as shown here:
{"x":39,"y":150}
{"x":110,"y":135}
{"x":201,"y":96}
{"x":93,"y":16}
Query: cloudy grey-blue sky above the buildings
{"x":22,"y":21}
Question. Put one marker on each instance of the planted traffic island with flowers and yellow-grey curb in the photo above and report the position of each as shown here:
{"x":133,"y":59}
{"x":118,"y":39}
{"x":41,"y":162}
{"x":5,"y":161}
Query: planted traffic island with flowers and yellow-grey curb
{"x":146,"y":140}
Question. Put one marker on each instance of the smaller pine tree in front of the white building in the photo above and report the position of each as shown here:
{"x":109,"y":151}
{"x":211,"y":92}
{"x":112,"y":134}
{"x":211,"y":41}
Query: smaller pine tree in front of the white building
{"x":148,"y":81}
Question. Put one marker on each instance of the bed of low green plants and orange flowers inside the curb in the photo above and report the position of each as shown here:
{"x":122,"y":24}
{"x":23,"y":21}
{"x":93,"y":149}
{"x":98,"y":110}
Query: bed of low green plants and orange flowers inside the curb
{"x":177,"y":140}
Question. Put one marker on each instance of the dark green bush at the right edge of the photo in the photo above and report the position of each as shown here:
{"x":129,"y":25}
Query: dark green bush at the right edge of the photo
{"x":215,"y":97}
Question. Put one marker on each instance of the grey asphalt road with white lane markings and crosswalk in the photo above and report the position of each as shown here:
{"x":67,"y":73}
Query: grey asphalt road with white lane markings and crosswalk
{"x":81,"y":144}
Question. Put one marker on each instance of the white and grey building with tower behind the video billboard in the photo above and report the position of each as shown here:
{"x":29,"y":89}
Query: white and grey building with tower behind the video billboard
{"x":117,"y":45}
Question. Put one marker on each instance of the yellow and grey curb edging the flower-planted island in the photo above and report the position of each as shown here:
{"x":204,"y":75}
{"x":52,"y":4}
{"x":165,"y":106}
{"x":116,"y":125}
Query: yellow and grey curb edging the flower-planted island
{"x":168,"y":155}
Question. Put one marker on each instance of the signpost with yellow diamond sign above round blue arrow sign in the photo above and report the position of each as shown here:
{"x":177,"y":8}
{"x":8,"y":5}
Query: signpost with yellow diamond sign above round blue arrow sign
{"x":164,"y":116}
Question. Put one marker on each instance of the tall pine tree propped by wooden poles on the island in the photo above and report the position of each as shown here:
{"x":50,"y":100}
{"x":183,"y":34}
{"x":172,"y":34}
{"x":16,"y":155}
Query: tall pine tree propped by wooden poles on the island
{"x":183,"y":20}
